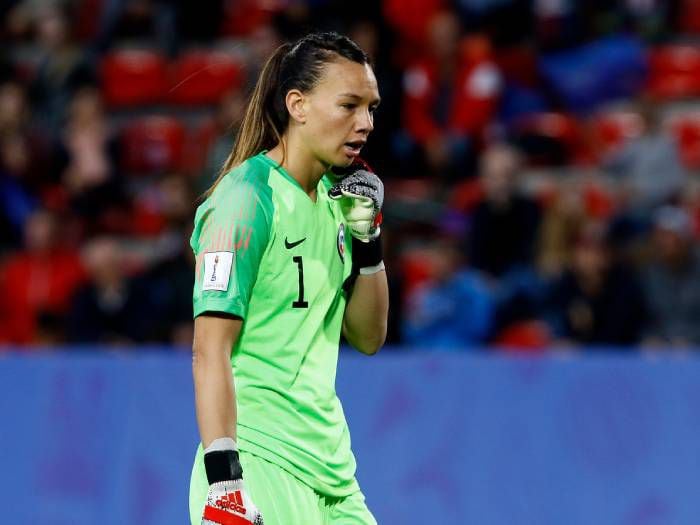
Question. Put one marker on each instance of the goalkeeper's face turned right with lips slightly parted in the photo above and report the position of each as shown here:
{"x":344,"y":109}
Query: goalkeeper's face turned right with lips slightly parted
{"x":339,"y":112}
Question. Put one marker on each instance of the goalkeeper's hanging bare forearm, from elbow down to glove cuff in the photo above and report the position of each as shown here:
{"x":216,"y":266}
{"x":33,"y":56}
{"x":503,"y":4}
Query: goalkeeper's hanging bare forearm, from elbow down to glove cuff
{"x":215,"y":400}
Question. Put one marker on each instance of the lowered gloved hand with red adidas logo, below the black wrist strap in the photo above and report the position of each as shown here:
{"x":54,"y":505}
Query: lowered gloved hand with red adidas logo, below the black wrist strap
{"x":229,"y":504}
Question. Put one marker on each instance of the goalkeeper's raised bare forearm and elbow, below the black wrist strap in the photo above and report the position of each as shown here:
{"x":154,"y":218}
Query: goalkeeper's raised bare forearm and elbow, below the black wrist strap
{"x":365,"y":321}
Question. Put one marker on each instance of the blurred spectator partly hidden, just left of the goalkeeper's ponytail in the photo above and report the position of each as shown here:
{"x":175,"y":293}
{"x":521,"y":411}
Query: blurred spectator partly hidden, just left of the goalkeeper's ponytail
{"x":227,"y":120}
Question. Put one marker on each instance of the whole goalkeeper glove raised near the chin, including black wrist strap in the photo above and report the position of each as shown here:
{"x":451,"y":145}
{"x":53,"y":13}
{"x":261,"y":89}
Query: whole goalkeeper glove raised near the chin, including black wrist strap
{"x":361,"y":195}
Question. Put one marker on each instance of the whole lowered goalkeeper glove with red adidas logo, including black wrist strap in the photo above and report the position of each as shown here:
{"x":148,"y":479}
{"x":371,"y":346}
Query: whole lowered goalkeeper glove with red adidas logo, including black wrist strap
{"x":227,"y":501}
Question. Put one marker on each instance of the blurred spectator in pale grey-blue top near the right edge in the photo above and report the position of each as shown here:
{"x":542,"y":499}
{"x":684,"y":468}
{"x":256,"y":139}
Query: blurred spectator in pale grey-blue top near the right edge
{"x":649,"y":167}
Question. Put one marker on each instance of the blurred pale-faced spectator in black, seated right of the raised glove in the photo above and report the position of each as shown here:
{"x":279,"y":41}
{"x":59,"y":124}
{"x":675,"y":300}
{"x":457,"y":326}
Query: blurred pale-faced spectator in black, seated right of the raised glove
{"x":504,"y":225}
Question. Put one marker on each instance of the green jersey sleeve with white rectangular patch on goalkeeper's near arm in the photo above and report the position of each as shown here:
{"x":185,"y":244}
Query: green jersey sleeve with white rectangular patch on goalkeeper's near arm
{"x":231,"y":233}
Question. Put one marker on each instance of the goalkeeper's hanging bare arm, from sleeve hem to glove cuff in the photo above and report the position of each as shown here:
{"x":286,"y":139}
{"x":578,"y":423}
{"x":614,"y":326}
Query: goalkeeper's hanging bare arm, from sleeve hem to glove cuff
{"x":215,"y":397}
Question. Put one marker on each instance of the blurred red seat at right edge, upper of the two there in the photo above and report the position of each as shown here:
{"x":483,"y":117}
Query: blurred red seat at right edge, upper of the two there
{"x":674,"y":72}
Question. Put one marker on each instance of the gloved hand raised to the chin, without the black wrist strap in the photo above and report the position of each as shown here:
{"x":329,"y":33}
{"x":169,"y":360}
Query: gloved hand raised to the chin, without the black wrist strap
{"x":361,"y":196}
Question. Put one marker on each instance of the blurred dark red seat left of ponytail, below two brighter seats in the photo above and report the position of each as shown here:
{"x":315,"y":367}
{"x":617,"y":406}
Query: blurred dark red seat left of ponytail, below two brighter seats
{"x":153,"y":144}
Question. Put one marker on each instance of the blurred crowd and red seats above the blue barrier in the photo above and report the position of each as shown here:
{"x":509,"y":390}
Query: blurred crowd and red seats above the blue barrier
{"x":541,"y":161}
